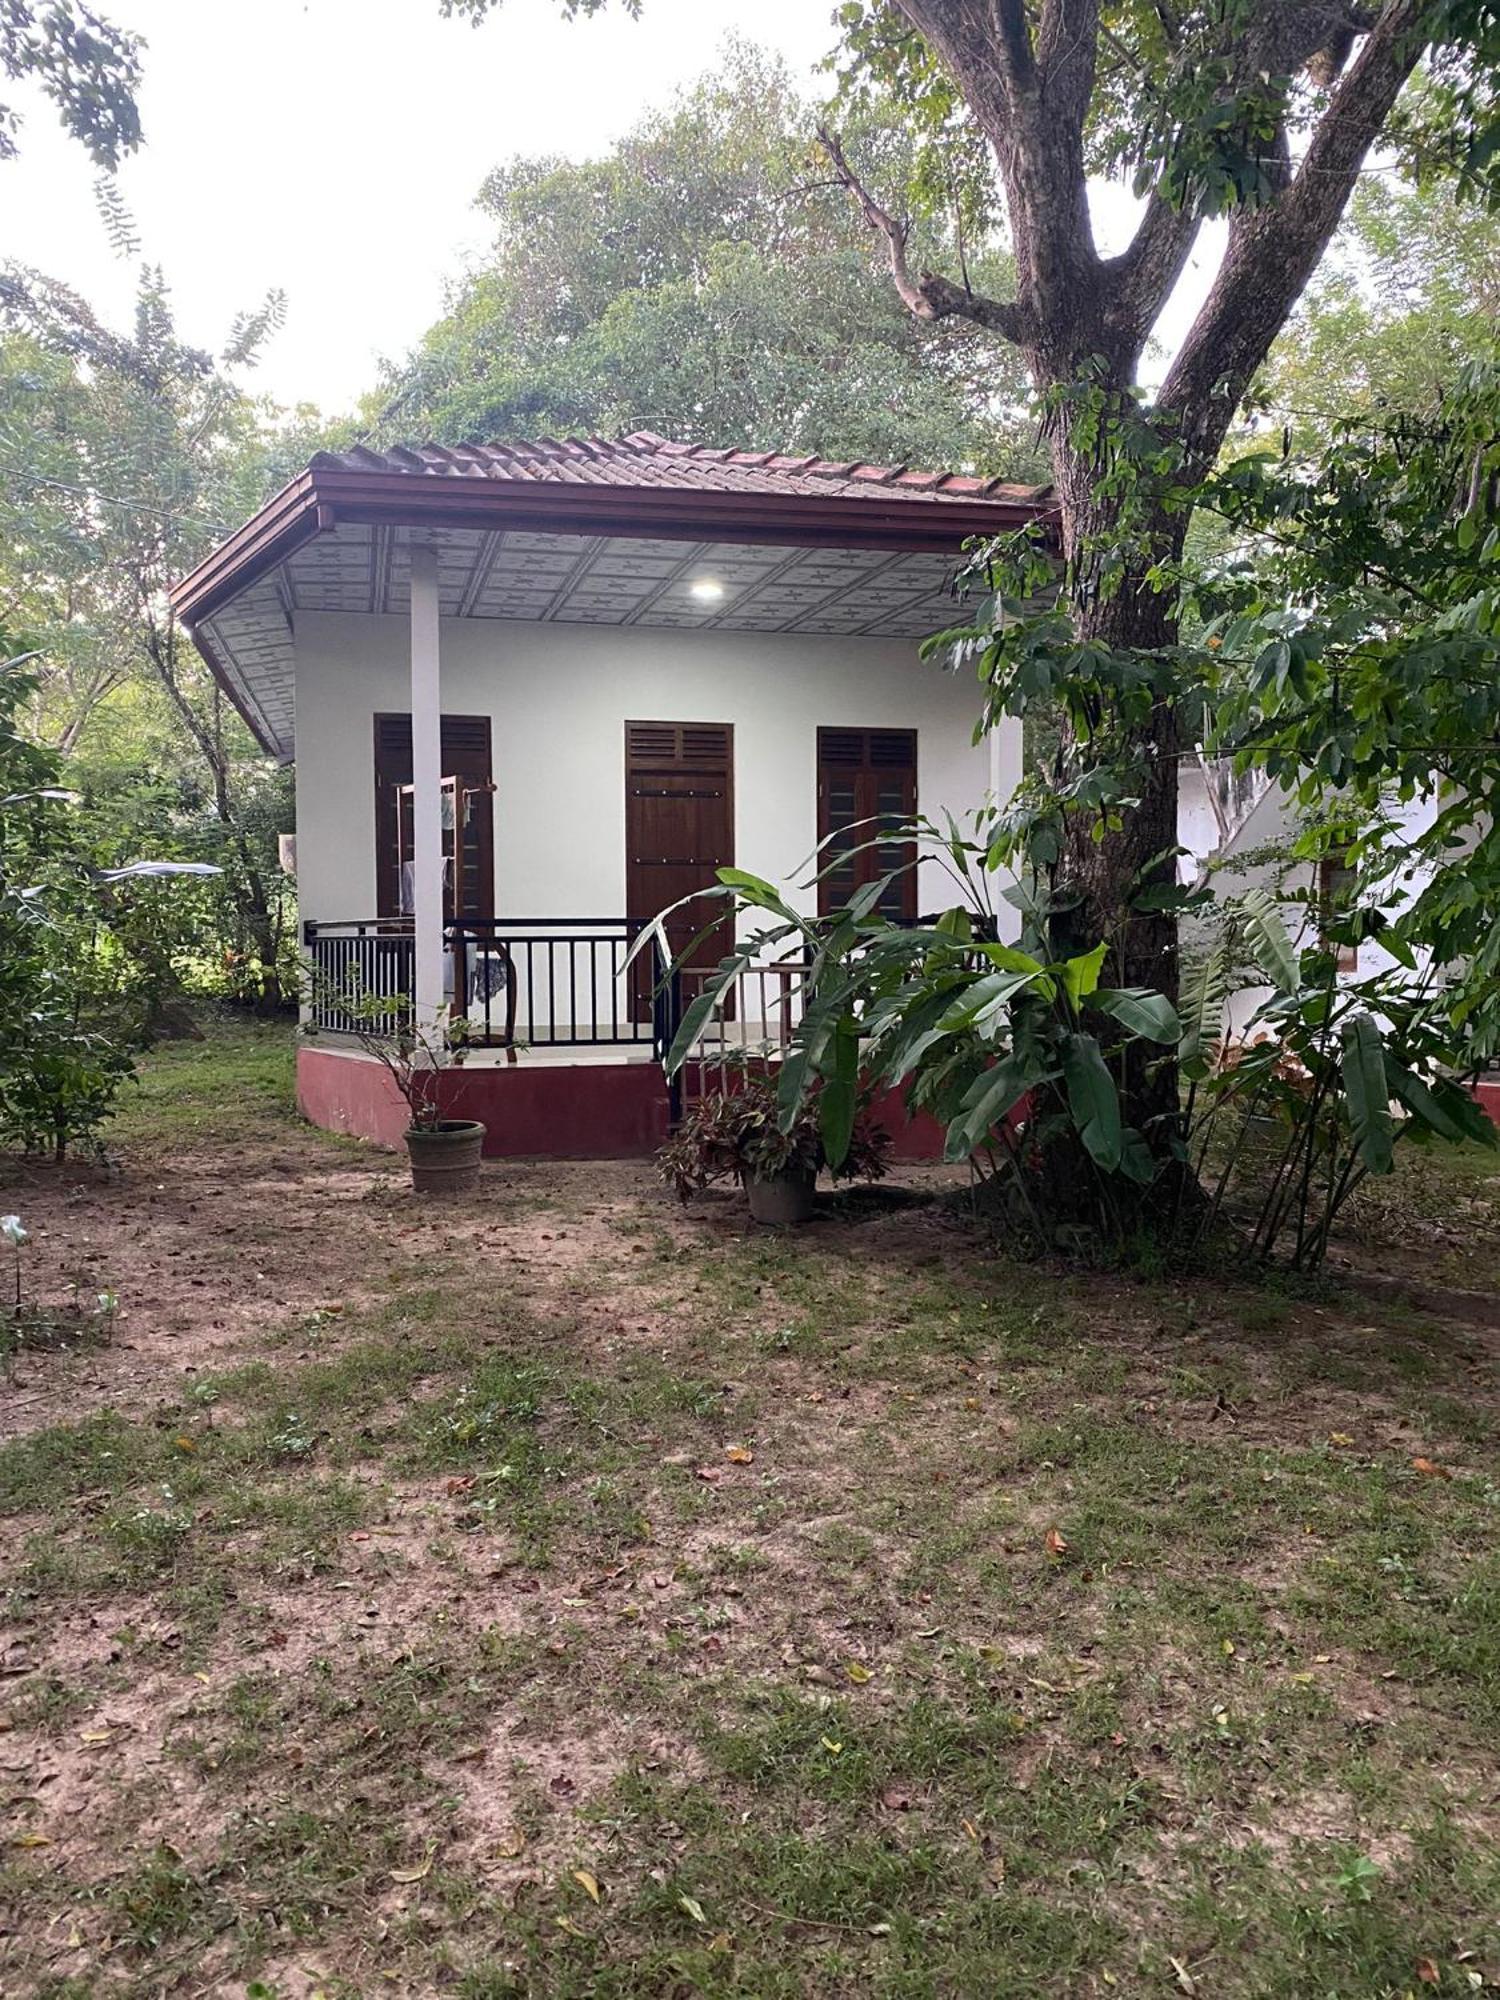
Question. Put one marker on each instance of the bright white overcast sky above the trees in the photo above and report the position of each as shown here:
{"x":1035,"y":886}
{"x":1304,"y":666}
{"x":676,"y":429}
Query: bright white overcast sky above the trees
{"x":333,"y":149}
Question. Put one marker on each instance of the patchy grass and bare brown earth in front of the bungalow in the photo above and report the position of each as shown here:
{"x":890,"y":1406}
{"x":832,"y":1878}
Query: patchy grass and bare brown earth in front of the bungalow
{"x":555,"y":1593}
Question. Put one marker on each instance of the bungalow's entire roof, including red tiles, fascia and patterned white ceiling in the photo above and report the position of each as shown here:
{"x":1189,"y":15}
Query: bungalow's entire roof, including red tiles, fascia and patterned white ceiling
{"x":589,"y":531}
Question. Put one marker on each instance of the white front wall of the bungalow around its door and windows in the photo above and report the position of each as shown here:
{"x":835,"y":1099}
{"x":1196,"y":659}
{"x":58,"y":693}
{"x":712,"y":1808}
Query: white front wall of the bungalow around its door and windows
{"x":559,"y":697}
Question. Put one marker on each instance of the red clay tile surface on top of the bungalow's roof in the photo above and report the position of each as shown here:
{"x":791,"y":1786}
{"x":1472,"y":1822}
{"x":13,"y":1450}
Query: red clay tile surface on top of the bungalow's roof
{"x":643,"y":459}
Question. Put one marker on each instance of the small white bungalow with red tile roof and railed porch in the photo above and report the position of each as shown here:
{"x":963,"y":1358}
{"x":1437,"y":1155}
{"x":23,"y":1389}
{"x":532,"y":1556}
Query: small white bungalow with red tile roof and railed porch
{"x":537,"y":693}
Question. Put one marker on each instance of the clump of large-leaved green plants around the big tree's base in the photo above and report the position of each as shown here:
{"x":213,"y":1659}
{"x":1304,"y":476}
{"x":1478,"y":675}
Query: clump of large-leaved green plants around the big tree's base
{"x":1013,"y":1049}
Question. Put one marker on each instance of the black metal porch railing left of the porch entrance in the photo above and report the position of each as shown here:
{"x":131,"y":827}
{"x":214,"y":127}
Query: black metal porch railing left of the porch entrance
{"x":535,"y":983}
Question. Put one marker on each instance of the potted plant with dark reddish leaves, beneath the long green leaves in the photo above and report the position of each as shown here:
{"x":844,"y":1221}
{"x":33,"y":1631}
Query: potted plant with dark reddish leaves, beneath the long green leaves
{"x":737,"y":1135}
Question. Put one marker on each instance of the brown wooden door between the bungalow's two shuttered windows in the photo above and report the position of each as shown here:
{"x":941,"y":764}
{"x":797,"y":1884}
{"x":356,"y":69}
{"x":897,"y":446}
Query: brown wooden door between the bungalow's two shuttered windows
{"x":679,"y":829}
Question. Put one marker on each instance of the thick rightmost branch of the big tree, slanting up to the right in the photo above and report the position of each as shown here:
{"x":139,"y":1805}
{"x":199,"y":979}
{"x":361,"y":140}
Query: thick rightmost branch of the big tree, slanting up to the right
{"x":1273,"y":251}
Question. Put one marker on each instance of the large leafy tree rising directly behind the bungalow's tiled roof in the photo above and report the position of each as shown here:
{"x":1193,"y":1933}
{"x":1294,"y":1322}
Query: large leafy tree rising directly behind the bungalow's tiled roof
{"x":707,"y":279}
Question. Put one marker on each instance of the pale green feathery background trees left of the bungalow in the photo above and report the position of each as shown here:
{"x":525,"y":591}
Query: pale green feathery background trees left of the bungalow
{"x":127,"y":457}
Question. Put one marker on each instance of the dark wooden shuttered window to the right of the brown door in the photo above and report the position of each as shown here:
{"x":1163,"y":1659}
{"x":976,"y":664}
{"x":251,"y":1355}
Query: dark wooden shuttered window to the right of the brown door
{"x":867,"y":783}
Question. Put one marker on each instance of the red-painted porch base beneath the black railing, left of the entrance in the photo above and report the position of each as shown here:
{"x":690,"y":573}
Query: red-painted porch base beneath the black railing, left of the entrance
{"x":587,"y":1111}
